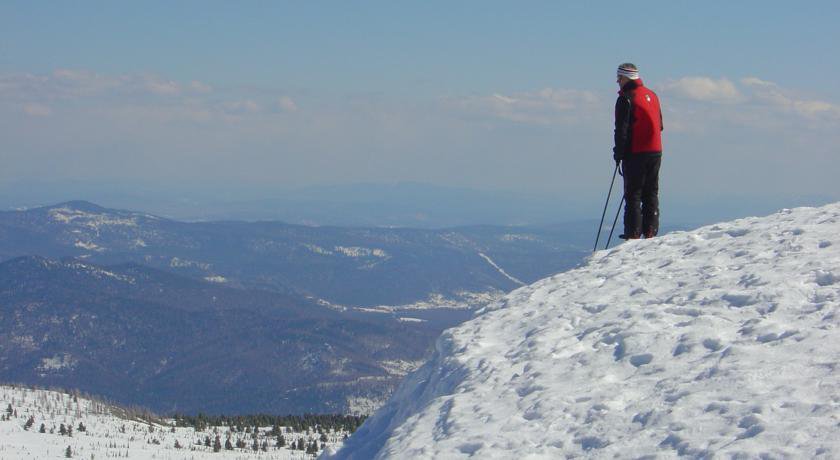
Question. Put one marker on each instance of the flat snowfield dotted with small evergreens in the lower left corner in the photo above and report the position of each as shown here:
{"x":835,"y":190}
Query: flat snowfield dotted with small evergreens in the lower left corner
{"x":111,"y":433}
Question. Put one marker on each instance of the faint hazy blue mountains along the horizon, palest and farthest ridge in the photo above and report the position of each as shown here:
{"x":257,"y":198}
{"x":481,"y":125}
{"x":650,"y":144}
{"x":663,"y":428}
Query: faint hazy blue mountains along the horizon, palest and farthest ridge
{"x":404,"y":204}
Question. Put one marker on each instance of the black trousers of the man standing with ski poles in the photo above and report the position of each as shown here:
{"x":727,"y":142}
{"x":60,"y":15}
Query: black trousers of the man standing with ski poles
{"x":641,"y":194}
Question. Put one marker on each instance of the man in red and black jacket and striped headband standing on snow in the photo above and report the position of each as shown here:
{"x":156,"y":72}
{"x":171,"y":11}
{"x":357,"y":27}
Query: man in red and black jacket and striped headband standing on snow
{"x":638,"y":147}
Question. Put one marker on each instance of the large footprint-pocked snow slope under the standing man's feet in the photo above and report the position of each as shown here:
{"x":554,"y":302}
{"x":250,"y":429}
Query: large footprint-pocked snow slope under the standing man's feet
{"x":719,"y":341}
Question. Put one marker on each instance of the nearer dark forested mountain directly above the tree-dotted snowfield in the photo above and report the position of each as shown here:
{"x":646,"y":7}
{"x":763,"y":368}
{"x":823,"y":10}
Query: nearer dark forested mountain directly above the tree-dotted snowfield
{"x":144,"y":336}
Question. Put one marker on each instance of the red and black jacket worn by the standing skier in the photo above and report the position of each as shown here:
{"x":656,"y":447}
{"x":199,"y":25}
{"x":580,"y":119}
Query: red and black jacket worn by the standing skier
{"x":638,"y":120}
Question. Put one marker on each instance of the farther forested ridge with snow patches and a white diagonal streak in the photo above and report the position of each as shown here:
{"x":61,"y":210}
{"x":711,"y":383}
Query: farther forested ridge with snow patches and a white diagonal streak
{"x":344,"y":266}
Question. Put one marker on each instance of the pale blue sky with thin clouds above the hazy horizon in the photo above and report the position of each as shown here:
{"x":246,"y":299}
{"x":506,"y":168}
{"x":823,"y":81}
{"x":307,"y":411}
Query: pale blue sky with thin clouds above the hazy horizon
{"x":488,"y":95}
